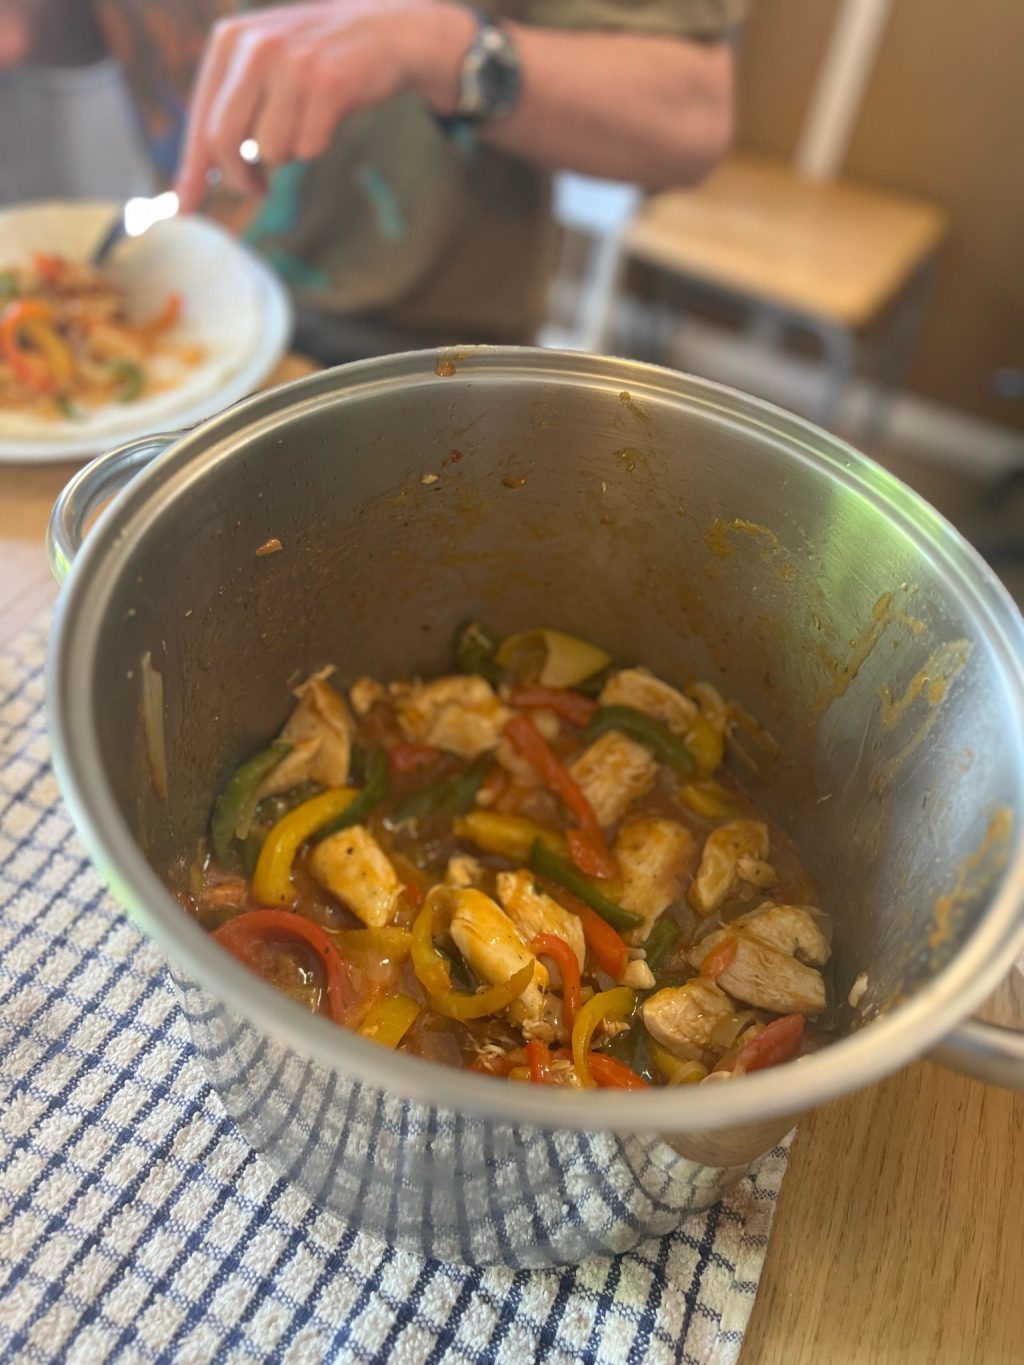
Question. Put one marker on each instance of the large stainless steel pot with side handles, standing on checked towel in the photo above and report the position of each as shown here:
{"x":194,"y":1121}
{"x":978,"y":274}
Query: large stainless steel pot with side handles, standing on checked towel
{"x":681,"y":523}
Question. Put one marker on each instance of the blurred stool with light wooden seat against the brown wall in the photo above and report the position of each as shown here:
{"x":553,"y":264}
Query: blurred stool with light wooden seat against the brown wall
{"x":835,"y":259}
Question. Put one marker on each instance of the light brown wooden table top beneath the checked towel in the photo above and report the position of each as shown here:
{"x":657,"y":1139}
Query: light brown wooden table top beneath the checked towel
{"x":899,"y":1229}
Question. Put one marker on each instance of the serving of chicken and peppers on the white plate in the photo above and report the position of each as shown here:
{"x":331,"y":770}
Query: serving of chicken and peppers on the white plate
{"x":70,"y":343}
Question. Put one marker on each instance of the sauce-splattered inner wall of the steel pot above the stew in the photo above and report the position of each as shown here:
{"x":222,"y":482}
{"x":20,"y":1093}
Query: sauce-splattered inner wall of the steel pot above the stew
{"x":678,"y":532}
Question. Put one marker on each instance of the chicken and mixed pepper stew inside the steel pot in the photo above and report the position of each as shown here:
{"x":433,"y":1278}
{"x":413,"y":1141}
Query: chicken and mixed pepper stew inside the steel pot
{"x":536,"y":869}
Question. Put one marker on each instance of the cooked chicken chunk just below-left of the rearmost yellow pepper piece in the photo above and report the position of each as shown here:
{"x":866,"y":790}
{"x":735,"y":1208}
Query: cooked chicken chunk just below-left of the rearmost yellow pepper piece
{"x":459,"y":715}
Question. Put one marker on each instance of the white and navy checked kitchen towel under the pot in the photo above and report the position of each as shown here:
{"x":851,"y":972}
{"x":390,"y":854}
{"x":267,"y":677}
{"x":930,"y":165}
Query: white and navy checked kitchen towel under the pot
{"x":137,"y":1225}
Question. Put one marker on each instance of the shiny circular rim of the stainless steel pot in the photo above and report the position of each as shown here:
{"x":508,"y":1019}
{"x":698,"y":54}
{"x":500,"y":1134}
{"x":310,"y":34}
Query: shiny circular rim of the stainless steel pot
{"x":880,"y":1048}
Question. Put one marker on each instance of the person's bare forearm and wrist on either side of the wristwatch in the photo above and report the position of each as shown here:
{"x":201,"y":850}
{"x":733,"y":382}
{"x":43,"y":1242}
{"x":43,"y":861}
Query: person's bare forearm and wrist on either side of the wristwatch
{"x":626,"y":107}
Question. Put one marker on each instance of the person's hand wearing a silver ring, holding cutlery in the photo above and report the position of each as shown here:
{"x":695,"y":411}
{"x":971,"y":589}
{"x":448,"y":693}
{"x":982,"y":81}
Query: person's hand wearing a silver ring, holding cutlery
{"x":287,"y":77}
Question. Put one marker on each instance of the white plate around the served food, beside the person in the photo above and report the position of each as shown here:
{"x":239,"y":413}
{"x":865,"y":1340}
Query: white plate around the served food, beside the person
{"x":234,"y":308}
